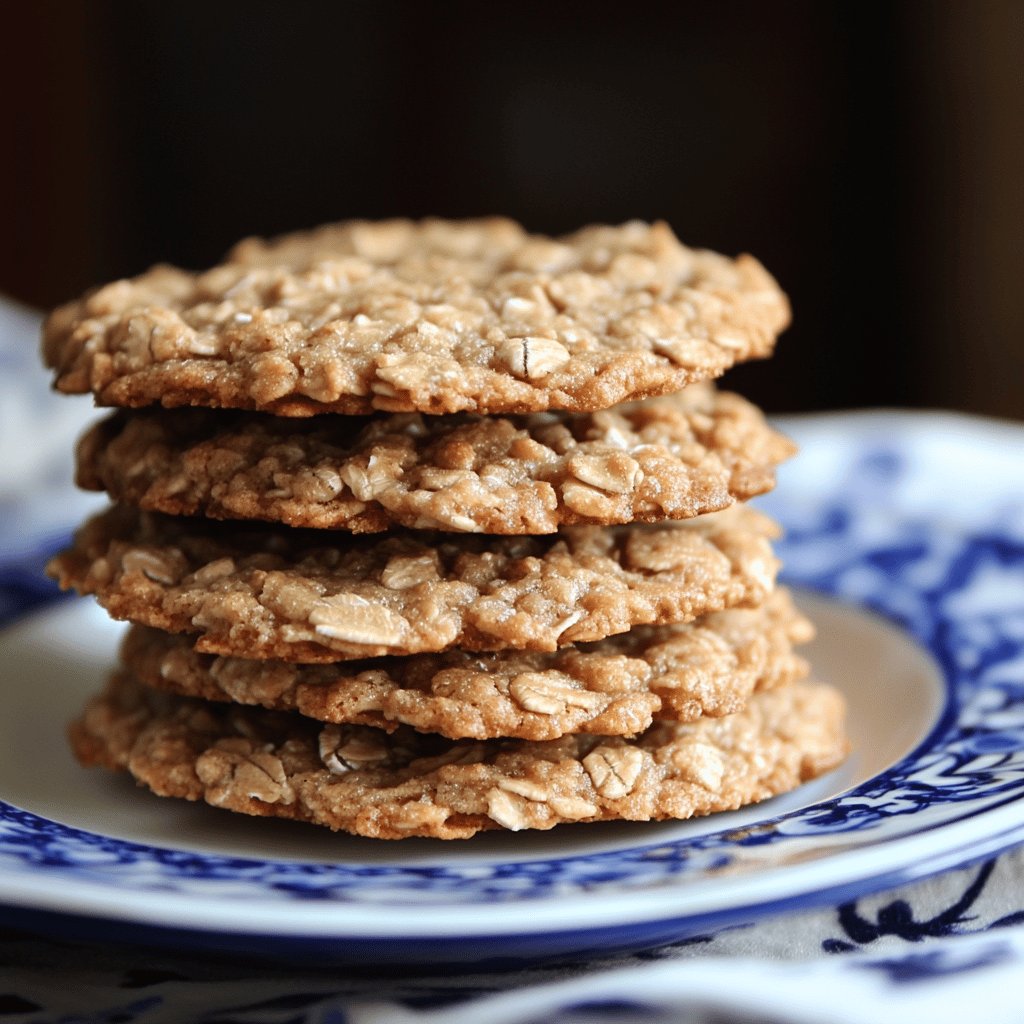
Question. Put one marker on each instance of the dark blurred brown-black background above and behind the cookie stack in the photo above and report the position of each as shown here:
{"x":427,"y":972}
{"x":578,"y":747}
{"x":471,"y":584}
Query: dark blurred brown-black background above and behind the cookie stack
{"x":871,"y":154}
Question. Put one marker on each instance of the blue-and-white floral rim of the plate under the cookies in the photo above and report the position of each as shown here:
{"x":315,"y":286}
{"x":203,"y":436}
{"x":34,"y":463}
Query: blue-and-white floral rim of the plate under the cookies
{"x":923,"y":528}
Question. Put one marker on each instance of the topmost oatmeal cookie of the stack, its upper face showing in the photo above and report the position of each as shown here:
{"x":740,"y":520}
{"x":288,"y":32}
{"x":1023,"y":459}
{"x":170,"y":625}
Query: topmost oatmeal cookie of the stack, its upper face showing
{"x":432,"y":317}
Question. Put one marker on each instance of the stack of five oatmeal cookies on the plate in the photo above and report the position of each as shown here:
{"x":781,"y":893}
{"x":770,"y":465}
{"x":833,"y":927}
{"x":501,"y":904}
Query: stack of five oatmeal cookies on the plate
{"x":450,"y":537}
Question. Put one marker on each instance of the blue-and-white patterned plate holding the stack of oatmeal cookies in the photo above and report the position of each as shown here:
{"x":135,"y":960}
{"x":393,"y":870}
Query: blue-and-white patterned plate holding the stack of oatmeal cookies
{"x":907,"y":538}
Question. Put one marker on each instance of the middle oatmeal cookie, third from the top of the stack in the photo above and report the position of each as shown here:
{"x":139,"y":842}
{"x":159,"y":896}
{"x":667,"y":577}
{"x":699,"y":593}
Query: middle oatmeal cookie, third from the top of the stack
{"x":258,"y":591}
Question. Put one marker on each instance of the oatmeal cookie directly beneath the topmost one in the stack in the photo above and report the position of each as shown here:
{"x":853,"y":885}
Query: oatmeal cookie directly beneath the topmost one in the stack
{"x":670,"y":458}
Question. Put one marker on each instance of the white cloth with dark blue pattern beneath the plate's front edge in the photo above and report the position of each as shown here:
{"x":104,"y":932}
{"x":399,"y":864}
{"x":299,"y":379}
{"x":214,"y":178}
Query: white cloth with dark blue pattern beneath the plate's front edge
{"x":951,"y":949}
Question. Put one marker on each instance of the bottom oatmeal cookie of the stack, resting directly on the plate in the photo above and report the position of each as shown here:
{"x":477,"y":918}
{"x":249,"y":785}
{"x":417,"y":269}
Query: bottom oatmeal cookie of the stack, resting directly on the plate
{"x":362,"y":781}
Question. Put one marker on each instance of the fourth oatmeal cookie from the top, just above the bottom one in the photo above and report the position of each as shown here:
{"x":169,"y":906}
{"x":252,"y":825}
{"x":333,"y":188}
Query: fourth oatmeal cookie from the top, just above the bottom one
{"x":616,"y":687}
